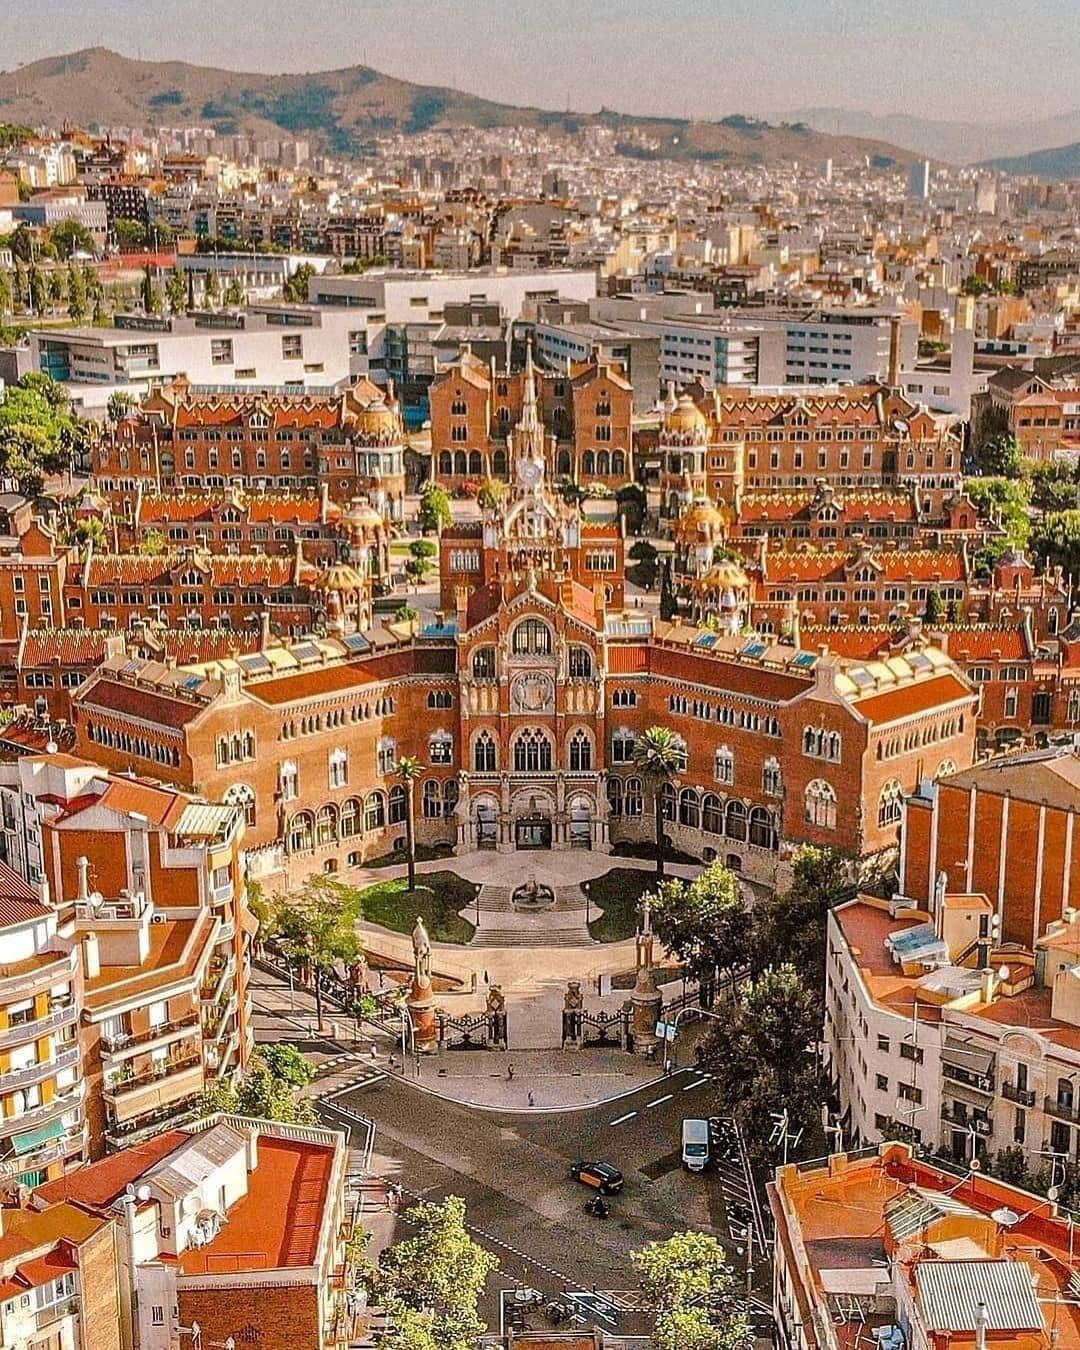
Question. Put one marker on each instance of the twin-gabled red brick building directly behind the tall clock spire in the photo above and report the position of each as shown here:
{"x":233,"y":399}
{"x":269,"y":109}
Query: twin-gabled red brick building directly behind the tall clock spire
{"x":585,"y":418}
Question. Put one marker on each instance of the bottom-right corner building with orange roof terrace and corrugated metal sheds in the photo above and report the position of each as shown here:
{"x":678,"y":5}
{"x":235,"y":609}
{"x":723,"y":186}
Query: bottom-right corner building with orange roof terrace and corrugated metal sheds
{"x":886,"y":1247}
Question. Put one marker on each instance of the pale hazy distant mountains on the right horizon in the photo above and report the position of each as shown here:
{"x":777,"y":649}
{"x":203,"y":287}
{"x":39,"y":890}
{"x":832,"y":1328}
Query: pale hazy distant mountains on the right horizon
{"x":955,"y":142}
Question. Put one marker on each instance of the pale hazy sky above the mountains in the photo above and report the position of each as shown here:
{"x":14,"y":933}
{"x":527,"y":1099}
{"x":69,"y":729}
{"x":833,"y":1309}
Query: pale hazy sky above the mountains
{"x":971,"y":60}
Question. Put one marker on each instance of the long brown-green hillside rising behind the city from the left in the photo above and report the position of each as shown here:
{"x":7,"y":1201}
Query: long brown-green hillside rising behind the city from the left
{"x":344,"y":109}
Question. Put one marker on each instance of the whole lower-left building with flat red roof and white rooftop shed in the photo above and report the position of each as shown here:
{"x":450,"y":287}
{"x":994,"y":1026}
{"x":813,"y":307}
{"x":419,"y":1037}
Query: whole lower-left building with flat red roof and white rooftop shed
{"x":227,"y":1232}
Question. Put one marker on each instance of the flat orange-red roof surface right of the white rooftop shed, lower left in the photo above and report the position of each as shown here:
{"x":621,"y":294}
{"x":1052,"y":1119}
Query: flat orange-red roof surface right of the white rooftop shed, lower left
{"x":277,"y":1224}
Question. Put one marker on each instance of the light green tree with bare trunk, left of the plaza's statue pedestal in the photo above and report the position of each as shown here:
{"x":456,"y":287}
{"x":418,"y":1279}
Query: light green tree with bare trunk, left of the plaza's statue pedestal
{"x":317,"y":929}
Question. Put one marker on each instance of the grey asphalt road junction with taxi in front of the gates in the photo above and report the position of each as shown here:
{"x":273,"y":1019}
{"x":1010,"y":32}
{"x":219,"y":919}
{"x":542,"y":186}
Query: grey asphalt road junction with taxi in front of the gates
{"x":514,"y":1172}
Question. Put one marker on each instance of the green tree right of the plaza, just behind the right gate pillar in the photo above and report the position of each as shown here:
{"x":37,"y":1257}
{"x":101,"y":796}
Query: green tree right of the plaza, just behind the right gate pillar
{"x":704,"y":923}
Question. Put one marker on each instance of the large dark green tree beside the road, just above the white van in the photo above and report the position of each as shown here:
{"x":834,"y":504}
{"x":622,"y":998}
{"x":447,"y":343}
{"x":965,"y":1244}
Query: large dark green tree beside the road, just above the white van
{"x":758,"y":1055}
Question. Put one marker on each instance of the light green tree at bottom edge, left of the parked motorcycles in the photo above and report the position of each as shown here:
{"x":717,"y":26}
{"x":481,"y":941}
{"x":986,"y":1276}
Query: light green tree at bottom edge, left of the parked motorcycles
{"x":441,"y":1272}
